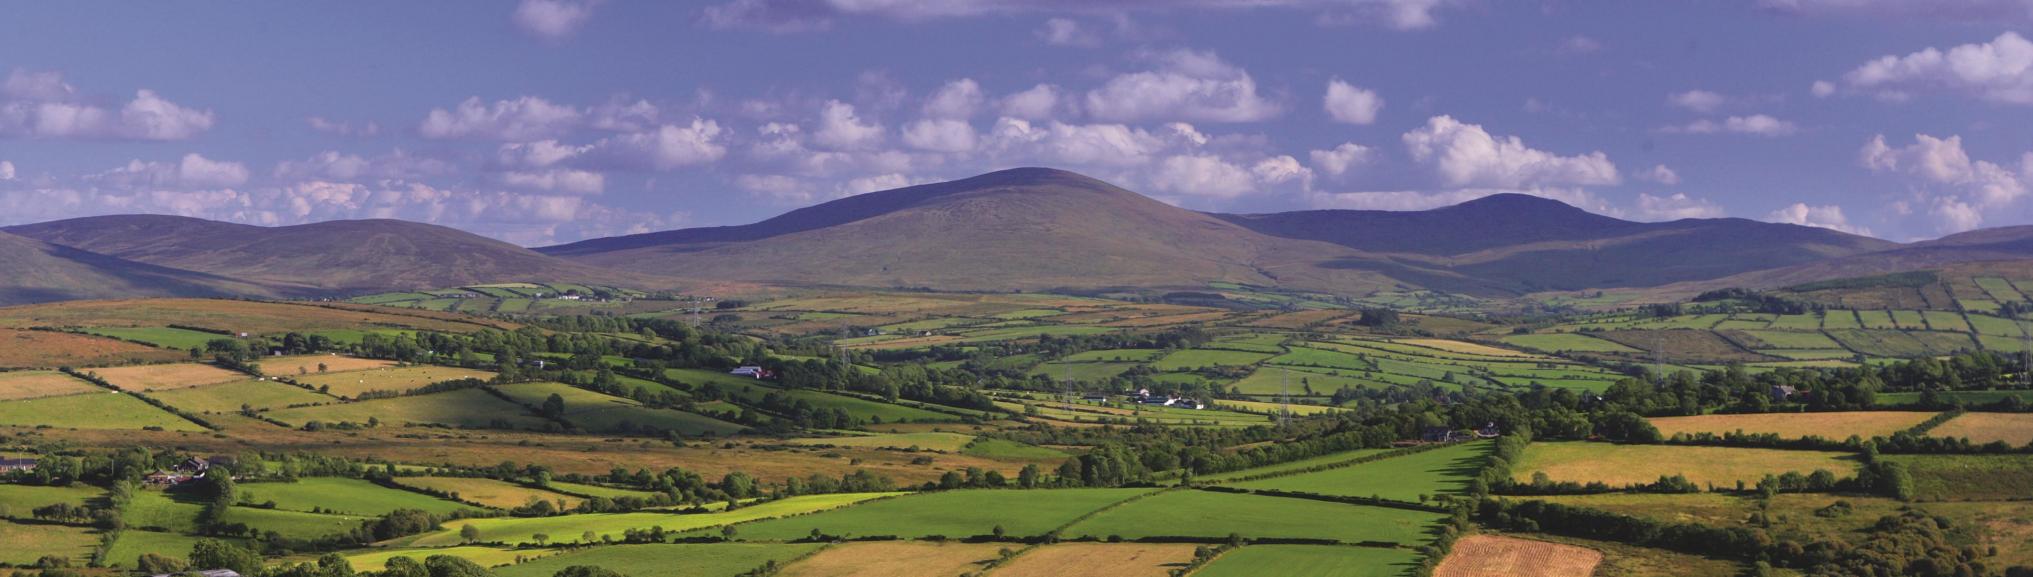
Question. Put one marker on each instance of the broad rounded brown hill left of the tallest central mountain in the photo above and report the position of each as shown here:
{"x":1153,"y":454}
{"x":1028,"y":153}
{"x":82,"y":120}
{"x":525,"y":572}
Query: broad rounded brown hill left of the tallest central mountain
{"x":318,"y":259}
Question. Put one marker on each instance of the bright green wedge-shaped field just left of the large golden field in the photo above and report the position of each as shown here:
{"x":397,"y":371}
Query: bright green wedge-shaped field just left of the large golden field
{"x":1406,"y":478}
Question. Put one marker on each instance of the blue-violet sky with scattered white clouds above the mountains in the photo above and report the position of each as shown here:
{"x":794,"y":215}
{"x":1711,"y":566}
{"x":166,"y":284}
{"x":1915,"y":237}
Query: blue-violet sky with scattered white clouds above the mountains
{"x":556,"y":121}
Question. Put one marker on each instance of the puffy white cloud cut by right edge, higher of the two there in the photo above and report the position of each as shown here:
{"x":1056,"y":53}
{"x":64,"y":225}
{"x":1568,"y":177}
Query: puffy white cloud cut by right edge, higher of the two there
{"x":1997,"y":72}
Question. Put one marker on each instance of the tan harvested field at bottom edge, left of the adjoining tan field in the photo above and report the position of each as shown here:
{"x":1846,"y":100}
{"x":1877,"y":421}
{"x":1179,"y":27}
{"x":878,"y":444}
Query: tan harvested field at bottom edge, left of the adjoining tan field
{"x":896,"y":560}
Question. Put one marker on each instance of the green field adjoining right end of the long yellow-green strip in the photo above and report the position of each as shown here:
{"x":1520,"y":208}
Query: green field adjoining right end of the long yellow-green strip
{"x":954,"y":515}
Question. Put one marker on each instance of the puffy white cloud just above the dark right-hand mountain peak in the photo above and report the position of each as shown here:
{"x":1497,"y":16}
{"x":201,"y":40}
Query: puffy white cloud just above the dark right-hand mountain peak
{"x":1465,"y":155}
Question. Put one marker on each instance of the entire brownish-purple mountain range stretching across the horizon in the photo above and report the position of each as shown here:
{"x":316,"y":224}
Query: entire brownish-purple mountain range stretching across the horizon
{"x":1009,"y":231}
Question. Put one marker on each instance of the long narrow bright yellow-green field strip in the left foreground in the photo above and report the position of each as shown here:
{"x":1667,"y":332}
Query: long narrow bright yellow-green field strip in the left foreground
{"x":572,"y":527}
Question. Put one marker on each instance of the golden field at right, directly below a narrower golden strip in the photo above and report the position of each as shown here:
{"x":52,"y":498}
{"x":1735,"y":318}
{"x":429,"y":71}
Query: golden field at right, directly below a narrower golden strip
{"x":1644,"y":464}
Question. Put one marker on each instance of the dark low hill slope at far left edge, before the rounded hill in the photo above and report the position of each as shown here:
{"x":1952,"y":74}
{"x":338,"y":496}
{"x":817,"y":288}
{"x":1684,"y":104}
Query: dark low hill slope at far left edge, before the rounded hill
{"x":42,"y":273}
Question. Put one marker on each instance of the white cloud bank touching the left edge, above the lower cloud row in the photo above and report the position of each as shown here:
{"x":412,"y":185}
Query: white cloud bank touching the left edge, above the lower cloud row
{"x":40,"y":105}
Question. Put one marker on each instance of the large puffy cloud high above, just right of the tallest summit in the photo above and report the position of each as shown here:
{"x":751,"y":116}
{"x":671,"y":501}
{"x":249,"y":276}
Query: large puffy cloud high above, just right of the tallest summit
{"x":1182,"y":86}
